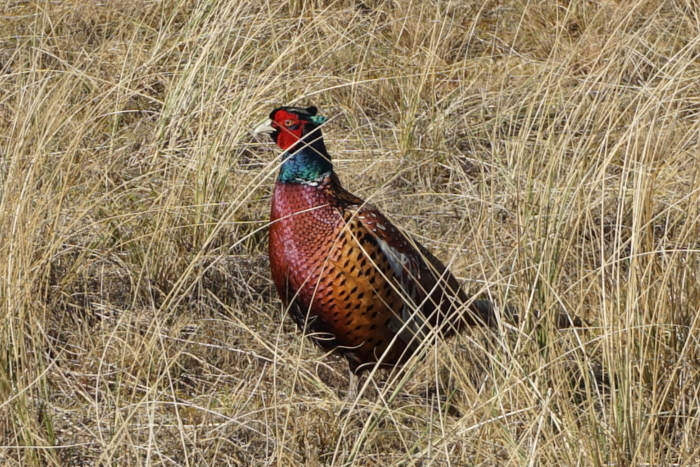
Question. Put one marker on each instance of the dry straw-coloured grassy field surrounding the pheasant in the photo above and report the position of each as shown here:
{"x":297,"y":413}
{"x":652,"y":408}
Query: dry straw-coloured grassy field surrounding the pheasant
{"x":549,"y":152}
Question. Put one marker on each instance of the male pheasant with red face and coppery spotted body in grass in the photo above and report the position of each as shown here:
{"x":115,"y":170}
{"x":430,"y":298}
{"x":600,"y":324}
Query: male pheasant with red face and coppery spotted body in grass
{"x":351,"y":279}
